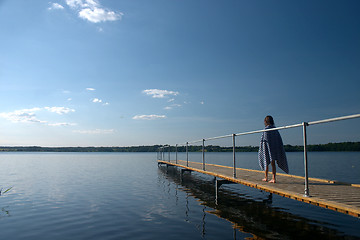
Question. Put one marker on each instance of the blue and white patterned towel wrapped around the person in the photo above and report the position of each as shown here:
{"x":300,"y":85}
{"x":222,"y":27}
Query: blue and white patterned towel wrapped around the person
{"x":271,"y":149}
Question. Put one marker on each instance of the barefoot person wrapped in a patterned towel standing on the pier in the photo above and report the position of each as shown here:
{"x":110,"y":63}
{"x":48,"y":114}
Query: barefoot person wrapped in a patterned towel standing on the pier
{"x":271,"y":149}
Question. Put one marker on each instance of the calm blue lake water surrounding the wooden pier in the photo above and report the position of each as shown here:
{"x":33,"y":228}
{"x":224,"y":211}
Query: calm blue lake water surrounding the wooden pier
{"x":126,"y":196}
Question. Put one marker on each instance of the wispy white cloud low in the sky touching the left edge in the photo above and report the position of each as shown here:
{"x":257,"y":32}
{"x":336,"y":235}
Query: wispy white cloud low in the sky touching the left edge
{"x":29,"y":115}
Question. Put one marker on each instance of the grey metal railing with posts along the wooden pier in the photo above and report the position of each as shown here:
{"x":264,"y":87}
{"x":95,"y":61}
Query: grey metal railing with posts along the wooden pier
{"x":304,"y":125}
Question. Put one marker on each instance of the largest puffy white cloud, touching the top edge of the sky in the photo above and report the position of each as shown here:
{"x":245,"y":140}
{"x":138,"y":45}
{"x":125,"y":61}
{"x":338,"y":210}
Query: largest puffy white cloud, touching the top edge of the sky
{"x":92,"y":11}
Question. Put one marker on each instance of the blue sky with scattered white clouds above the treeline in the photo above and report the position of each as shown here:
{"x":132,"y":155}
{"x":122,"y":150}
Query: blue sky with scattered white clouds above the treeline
{"x":129,"y":73}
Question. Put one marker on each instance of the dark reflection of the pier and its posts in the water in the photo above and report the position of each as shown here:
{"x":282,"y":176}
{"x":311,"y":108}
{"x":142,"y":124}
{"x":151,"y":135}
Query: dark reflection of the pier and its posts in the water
{"x":255,"y":216}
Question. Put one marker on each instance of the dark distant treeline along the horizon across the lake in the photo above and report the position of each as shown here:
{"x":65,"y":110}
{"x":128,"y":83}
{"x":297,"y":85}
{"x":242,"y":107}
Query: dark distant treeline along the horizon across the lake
{"x":338,"y":147}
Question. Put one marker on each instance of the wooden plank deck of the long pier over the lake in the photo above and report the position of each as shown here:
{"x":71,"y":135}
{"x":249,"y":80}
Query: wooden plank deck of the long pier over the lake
{"x":341,"y":197}
